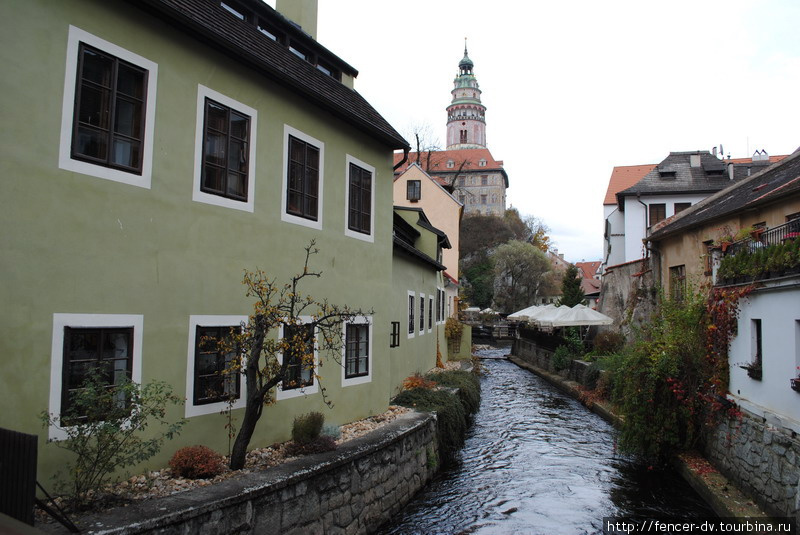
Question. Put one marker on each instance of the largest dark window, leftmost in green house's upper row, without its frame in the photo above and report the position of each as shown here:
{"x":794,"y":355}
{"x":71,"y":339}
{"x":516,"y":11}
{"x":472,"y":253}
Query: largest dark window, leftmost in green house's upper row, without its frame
{"x":110,"y":97}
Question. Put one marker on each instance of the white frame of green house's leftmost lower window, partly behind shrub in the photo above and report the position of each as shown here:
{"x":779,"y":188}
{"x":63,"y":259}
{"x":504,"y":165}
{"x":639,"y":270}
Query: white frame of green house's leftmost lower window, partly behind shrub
{"x":60,"y":321}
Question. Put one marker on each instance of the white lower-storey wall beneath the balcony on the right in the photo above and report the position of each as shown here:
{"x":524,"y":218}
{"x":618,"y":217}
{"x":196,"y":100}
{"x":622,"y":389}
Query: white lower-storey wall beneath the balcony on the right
{"x":771,"y":397}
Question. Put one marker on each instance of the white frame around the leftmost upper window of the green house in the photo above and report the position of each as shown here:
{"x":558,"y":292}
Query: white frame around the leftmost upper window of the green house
{"x":76,"y":36}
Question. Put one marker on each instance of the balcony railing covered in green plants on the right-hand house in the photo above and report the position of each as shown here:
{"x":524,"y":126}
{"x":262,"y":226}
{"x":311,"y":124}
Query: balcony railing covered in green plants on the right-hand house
{"x":766,"y":254}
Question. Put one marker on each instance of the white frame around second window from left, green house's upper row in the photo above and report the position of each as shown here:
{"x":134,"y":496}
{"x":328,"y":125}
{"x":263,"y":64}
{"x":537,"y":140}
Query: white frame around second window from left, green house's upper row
{"x":198,"y":195}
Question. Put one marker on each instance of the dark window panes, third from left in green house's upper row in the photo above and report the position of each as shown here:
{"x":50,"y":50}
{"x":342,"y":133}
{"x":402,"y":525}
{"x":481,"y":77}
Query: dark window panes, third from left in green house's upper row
{"x":302,"y":197}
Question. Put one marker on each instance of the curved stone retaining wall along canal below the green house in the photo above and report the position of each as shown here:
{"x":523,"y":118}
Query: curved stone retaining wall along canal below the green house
{"x":352,"y":490}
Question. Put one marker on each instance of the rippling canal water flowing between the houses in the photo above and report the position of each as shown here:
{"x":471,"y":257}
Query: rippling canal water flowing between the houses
{"x":537,"y":462}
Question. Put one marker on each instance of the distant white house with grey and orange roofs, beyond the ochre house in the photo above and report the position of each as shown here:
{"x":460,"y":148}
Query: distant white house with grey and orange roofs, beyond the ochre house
{"x":640,"y":196}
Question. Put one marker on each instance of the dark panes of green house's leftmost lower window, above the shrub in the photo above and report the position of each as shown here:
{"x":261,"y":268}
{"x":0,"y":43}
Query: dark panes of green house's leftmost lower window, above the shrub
{"x":106,"y":353}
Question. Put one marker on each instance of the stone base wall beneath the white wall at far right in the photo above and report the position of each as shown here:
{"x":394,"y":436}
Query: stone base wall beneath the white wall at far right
{"x":761,"y":459}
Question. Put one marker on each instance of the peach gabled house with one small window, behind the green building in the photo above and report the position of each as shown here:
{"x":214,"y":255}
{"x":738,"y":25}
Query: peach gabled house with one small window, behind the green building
{"x":414,"y":188}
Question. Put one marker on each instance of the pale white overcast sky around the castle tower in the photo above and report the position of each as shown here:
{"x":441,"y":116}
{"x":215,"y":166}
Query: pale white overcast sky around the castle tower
{"x":574,"y":88}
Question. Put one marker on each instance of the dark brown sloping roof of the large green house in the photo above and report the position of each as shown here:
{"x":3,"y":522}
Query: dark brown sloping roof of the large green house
{"x":210,"y":24}
